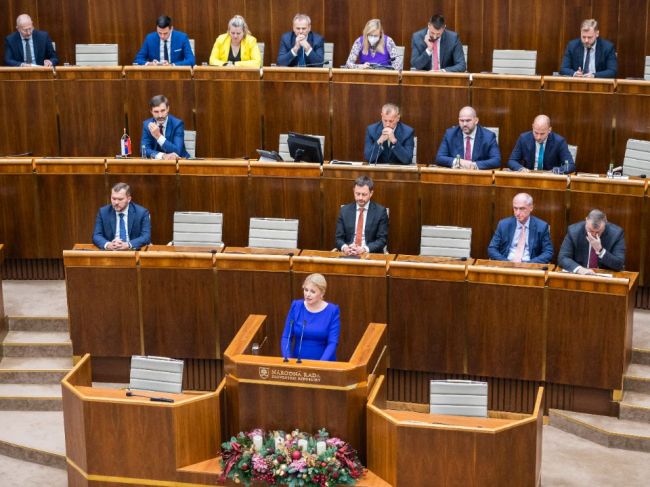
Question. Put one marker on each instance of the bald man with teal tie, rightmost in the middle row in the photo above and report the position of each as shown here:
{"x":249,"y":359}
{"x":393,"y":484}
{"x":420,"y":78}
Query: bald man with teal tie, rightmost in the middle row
{"x":541,"y":149}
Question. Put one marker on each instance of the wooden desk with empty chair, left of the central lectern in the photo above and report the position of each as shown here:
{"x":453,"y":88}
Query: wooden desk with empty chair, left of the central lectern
{"x":112,"y":439}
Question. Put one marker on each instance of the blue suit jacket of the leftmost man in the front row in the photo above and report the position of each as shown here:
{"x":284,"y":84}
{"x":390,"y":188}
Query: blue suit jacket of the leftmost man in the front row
{"x":139,"y":223}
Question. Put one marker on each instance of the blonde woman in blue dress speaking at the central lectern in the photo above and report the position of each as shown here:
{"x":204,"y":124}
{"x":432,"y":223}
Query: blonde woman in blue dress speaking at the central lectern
{"x":315,"y":320}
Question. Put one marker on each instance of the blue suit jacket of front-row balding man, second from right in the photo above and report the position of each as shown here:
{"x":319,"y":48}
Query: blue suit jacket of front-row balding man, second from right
{"x":539,"y":240}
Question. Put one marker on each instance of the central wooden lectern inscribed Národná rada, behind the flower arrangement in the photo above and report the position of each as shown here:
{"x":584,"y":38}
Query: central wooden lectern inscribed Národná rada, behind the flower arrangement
{"x":268,"y":392}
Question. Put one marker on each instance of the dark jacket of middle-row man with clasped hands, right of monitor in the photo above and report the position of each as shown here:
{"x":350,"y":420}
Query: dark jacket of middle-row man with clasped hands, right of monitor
{"x":400,"y":153}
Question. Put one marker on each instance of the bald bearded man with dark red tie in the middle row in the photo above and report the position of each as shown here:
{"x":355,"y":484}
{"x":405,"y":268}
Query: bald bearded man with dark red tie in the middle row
{"x":469,"y":146}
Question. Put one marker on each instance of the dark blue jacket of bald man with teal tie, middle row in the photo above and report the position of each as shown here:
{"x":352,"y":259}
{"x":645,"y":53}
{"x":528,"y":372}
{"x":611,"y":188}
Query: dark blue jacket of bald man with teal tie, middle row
{"x":556,"y":151}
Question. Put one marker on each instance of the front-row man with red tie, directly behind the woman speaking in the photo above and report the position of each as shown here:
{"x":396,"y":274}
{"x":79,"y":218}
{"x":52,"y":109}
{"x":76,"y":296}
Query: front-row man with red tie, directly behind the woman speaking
{"x":362,"y":226}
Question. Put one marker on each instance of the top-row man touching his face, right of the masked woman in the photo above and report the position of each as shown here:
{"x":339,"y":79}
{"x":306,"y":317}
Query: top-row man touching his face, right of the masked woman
{"x":435,"y":48}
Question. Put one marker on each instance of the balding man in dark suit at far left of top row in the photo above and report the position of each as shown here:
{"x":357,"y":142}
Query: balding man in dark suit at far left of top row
{"x":29,"y":47}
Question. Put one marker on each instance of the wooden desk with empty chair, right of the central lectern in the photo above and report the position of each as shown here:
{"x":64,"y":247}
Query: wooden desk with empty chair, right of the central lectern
{"x":408,"y":445}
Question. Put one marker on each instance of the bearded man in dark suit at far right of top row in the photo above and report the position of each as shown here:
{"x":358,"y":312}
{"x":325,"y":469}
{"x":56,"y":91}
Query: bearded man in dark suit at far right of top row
{"x":589,"y":56}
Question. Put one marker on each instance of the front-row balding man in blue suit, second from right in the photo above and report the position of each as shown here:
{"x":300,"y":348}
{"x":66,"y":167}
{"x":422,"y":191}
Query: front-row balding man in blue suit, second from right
{"x":522,"y":237}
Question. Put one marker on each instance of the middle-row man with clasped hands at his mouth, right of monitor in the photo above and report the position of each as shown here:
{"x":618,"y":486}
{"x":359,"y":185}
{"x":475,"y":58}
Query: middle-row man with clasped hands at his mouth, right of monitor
{"x":389,"y":141}
